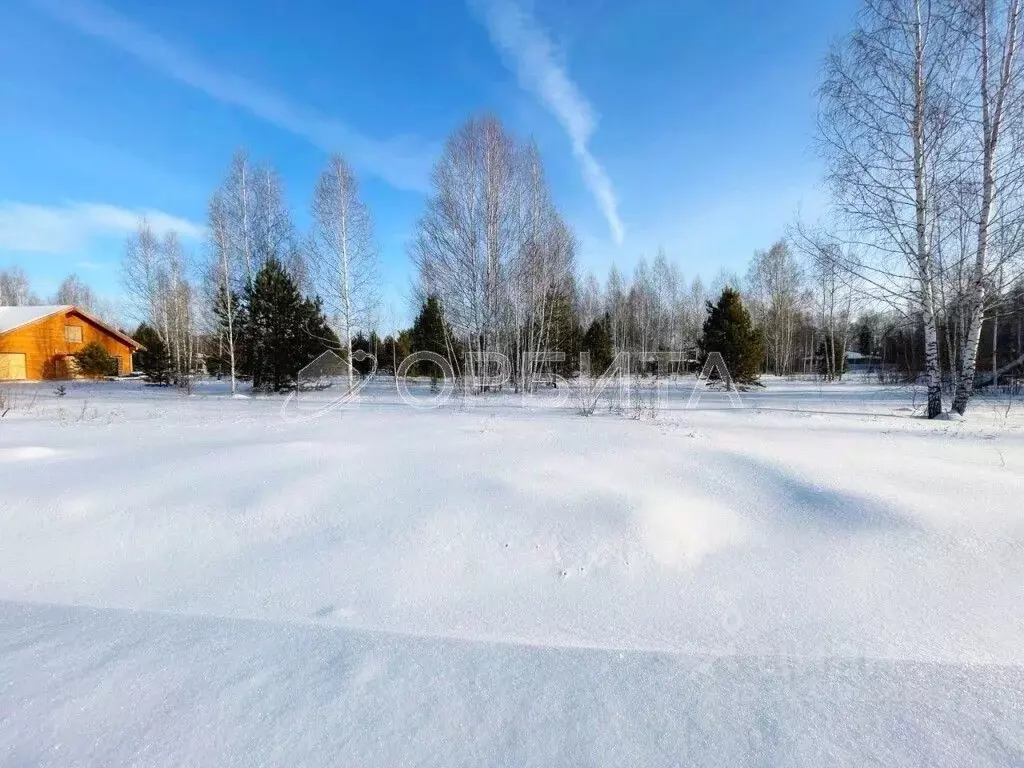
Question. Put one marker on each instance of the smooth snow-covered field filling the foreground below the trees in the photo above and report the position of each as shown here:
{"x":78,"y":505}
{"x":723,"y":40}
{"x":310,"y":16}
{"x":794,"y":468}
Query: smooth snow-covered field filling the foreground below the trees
{"x":817,"y":579}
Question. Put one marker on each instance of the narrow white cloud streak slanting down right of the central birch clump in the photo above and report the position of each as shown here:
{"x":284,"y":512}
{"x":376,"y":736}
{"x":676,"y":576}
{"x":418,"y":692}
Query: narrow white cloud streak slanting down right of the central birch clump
{"x":529,"y":52}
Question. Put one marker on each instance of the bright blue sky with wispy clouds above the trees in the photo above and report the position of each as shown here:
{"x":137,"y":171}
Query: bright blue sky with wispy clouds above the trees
{"x":687,"y":125}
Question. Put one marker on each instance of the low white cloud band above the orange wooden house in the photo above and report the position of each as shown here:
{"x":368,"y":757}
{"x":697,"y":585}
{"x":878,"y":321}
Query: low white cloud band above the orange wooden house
{"x":68,"y":230}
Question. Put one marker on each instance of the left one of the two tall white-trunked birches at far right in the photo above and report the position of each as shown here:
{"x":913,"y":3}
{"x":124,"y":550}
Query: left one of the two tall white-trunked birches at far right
{"x":886,"y":115}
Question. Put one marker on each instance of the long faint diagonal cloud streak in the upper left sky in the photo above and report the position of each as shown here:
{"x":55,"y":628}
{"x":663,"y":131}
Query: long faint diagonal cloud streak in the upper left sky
{"x":404,"y":162}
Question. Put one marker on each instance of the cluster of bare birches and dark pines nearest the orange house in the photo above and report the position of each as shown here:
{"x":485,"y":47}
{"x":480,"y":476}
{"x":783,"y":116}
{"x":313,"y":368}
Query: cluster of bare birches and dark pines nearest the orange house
{"x":263,"y":300}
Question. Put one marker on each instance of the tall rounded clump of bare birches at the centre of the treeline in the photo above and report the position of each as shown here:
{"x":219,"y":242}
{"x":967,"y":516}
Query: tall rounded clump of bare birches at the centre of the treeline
{"x":495,"y":250}
